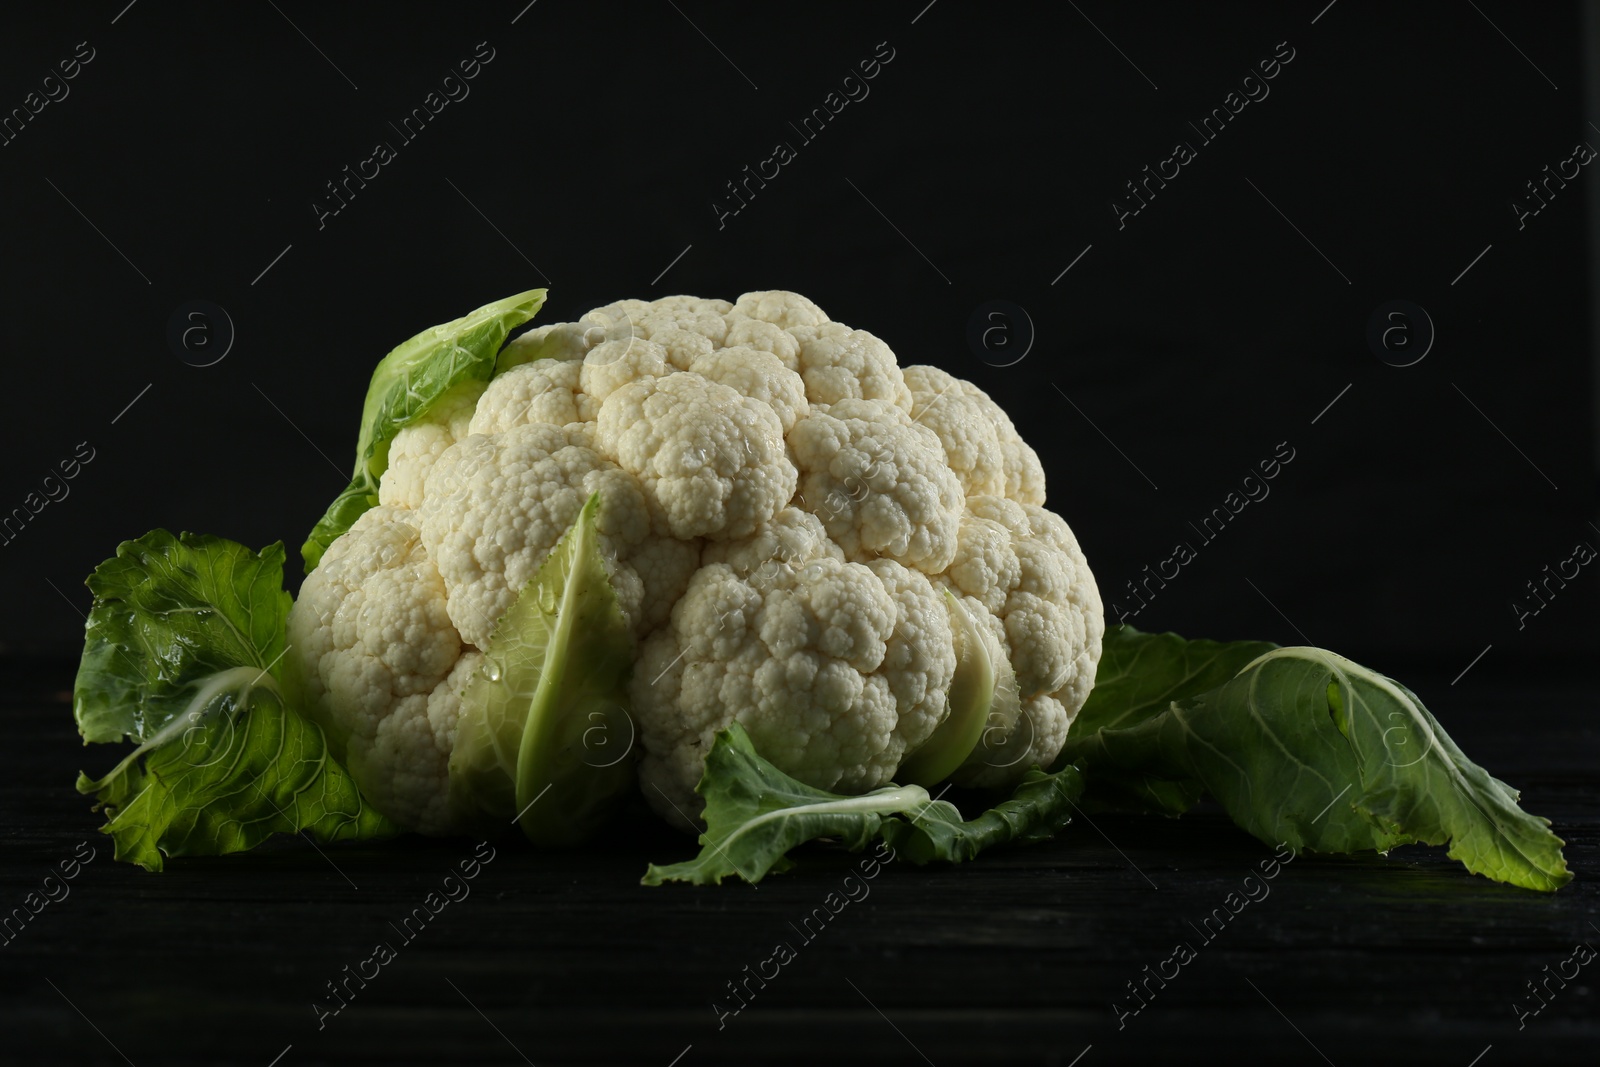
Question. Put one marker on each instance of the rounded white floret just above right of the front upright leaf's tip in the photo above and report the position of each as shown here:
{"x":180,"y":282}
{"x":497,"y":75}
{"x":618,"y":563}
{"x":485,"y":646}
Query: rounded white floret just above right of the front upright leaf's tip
{"x":713,"y":463}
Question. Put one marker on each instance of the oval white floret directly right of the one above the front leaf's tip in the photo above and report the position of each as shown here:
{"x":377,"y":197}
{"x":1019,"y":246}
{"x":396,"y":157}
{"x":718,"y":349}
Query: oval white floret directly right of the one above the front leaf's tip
{"x":881,"y":484}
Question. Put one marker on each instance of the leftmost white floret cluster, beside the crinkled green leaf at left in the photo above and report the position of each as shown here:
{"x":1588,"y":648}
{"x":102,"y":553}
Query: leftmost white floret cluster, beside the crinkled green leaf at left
{"x":378,"y":658}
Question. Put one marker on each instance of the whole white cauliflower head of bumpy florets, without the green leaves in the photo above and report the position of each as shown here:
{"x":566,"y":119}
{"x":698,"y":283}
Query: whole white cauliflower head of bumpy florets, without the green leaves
{"x":802,"y":537}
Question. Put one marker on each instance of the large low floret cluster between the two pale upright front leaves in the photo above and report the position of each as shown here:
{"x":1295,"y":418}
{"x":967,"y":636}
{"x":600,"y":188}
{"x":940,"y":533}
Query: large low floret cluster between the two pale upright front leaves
{"x":836,"y":669}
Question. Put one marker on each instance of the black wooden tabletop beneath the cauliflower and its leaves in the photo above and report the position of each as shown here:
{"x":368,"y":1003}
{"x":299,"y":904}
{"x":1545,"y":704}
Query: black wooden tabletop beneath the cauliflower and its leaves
{"x":566,"y":959}
